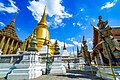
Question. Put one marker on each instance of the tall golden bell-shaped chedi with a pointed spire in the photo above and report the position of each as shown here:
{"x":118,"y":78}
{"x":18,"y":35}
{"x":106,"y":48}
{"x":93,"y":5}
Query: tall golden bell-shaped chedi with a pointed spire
{"x":42,"y":32}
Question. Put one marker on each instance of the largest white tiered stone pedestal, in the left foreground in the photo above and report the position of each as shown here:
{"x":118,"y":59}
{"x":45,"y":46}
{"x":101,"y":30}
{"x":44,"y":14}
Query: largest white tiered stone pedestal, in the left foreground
{"x":28,"y":68}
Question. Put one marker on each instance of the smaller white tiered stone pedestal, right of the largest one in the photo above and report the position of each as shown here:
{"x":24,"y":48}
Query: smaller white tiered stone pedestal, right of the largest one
{"x":57,"y":67}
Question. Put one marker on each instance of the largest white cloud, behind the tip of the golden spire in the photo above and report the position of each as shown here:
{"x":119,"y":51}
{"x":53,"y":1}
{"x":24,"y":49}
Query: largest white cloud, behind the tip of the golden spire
{"x":54,"y":9}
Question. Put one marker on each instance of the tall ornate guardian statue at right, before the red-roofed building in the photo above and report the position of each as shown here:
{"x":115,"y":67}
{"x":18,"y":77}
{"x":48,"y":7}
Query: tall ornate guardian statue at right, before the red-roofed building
{"x":111,"y":47}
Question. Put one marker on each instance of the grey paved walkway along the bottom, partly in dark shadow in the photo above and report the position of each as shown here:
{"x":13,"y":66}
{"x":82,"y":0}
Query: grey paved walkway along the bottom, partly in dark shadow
{"x":70,"y":75}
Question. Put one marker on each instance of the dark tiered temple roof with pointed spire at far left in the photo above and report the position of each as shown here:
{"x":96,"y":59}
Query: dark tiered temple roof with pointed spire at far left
{"x":9,"y":30}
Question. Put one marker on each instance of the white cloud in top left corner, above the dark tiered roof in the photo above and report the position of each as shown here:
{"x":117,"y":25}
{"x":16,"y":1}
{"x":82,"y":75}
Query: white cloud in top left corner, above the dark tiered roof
{"x":12,"y":8}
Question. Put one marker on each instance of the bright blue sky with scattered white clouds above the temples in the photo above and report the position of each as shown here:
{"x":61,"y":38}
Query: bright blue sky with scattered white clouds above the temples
{"x":68,"y":20}
